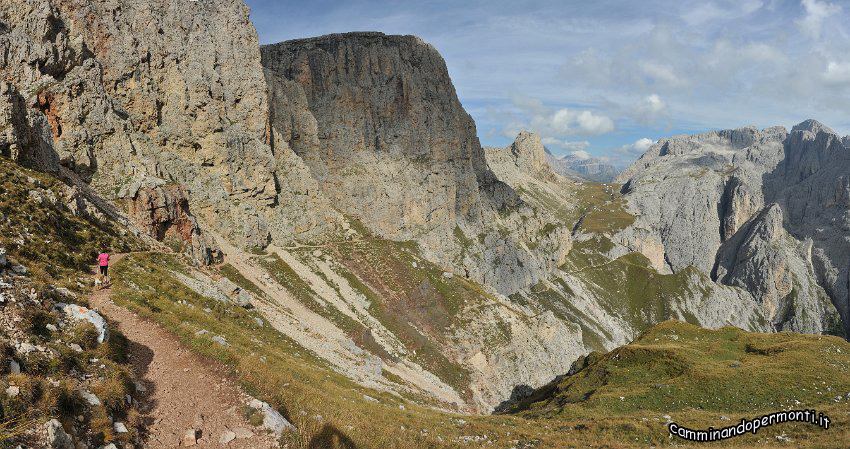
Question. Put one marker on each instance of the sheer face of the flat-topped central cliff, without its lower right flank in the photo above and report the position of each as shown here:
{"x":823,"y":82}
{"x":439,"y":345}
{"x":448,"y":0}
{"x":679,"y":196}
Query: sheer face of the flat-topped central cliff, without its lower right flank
{"x":386,"y":113}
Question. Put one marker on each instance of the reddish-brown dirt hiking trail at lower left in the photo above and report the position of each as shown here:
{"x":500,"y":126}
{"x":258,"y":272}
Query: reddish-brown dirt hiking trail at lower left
{"x":180,"y":391}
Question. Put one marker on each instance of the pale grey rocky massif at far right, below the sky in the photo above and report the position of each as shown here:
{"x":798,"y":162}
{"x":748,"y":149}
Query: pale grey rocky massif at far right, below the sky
{"x":758,"y":209}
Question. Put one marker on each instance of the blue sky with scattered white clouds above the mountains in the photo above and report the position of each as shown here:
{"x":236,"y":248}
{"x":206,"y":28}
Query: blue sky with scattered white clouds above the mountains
{"x":607,"y":78}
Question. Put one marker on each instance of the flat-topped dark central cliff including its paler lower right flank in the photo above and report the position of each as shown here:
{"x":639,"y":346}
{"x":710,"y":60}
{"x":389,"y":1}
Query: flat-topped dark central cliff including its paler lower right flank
{"x":381,"y":129}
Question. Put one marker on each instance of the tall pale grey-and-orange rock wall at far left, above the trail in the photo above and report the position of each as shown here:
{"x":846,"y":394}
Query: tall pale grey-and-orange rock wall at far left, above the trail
{"x":153,"y":88}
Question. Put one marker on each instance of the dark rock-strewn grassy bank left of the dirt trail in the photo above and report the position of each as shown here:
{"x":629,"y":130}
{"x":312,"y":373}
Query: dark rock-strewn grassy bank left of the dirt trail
{"x":57,"y":248}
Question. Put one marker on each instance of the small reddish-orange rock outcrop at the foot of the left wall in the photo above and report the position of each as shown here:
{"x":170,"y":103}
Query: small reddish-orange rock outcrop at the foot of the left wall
{"x":162,"y":211}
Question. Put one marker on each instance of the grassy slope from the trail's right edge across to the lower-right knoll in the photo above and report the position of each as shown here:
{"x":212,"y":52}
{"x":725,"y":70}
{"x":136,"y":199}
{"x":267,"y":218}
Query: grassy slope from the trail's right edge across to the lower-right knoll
{"x":275,"y":369}
